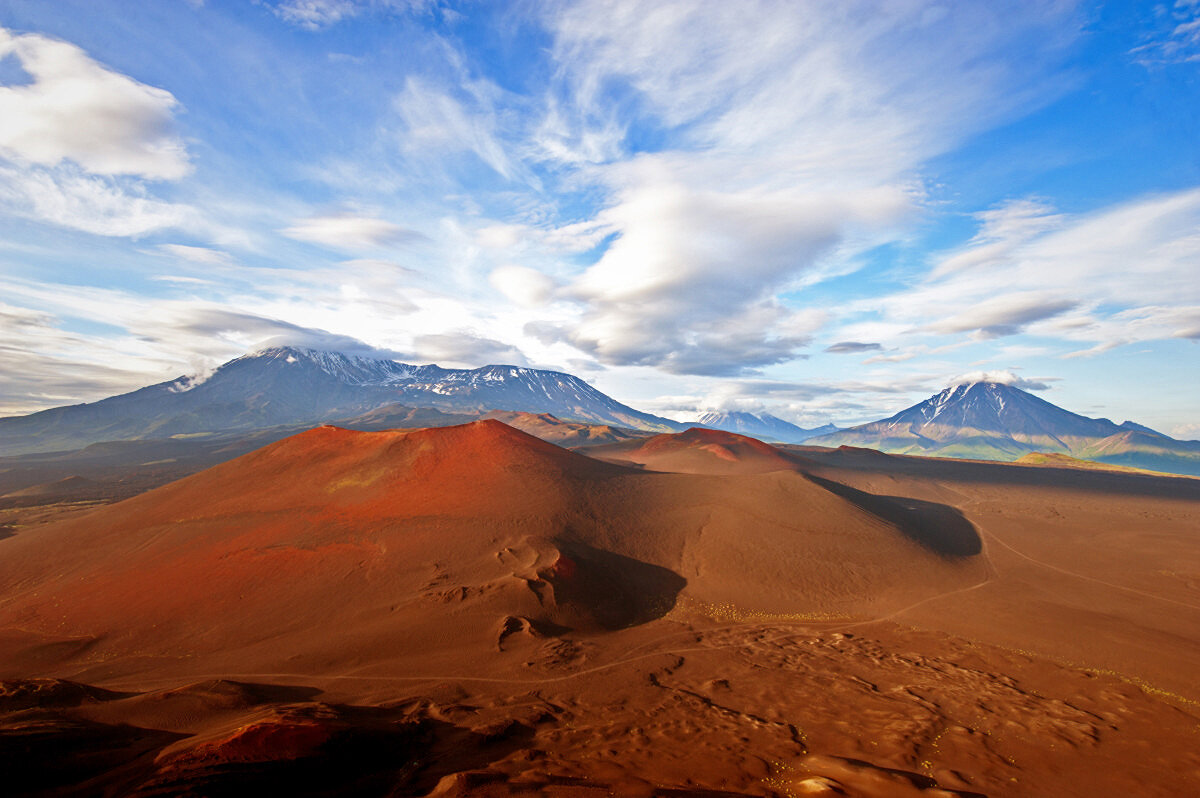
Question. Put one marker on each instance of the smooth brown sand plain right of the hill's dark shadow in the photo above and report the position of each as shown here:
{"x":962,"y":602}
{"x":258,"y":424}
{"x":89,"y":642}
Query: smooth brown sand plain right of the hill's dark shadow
{"x":1093,"y":568}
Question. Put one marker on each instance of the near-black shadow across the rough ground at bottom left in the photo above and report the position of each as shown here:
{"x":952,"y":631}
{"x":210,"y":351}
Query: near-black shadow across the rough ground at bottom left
{"x":365,"y":752}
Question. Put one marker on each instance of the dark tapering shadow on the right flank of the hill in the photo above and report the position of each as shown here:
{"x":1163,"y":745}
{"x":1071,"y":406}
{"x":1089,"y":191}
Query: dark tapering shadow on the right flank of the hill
{"x":941,"y":529}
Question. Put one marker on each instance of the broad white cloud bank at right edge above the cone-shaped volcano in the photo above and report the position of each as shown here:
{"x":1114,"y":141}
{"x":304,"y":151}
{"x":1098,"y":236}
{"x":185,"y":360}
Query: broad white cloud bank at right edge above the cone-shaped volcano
{"x":1114,"y":277}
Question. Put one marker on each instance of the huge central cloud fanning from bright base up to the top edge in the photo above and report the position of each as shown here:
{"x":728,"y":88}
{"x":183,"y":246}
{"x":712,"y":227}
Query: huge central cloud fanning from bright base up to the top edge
{"x":799,"y":140}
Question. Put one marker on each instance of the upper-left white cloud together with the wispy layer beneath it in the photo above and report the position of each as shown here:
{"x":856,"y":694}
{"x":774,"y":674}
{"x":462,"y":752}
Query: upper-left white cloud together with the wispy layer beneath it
{"x":79,"y":142}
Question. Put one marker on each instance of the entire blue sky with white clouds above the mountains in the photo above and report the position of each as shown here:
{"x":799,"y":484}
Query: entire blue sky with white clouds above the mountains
{"x":823,"y":211}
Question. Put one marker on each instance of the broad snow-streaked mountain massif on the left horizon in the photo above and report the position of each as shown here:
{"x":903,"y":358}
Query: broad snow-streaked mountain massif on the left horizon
{"x":289,"y":386}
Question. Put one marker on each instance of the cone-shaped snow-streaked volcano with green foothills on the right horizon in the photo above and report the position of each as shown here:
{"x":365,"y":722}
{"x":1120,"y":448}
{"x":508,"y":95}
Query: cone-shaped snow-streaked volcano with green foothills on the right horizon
{"x":998,"y":422}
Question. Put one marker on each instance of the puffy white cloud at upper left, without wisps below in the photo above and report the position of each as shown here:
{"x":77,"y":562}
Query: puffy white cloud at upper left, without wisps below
{"x":76,"y":110}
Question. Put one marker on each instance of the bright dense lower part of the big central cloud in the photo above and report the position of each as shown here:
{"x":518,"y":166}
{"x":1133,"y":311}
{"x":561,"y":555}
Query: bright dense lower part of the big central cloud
{"x":688,"y":285}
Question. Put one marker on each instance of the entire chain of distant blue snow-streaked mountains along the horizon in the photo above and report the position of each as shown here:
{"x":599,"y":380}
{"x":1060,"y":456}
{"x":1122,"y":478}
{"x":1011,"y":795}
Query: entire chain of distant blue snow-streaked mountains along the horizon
{"x":289,"y":388}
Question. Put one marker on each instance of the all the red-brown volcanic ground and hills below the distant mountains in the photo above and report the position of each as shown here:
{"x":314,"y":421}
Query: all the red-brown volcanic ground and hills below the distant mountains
{"x":473,"y":611}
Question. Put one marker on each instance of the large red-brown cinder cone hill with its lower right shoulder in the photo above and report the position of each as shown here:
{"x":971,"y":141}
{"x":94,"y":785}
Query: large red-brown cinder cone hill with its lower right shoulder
{"x":346,"y":550}
